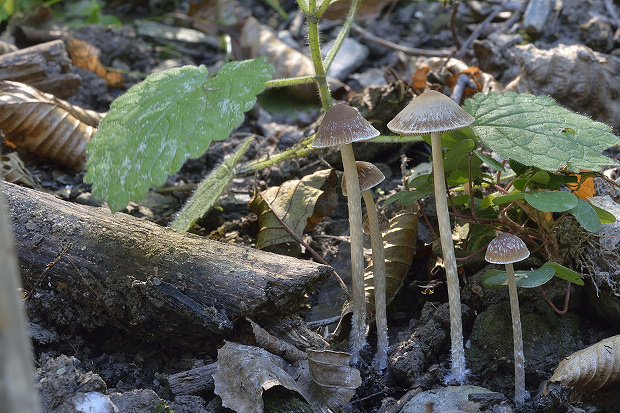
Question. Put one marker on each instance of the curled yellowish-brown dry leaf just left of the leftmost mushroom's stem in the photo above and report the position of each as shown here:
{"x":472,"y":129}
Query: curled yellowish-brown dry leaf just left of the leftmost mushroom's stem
{"x":299,"y":203}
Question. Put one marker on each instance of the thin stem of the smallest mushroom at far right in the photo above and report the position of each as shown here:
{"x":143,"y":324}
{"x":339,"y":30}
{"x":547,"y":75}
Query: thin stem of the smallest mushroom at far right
{"x":517,"y":337}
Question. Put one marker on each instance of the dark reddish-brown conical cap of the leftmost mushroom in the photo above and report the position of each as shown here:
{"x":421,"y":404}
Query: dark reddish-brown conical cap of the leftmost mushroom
{"x":341,"y":125}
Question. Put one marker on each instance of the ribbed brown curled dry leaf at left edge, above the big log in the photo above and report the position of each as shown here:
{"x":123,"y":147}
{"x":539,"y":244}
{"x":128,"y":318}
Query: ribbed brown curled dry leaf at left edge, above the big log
{"x":49,"y":127}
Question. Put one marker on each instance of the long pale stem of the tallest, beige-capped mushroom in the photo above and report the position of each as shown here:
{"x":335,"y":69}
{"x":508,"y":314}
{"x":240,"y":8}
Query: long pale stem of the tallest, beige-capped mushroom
{"x":458,"y":370}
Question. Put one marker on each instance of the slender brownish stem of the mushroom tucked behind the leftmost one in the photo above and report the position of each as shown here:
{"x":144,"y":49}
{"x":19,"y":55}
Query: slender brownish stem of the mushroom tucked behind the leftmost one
{"x":378,"y":270}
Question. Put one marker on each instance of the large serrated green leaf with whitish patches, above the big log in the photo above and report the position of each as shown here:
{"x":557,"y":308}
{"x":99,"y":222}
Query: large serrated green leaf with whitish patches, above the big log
{"x":171,"y":116}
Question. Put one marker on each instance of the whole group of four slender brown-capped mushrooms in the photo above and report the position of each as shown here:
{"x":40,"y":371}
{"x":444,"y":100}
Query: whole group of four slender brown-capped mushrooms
{"x":430,"y":113}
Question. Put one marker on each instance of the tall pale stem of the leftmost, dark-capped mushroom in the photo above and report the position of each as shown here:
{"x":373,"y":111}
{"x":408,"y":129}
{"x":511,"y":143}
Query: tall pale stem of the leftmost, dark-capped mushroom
{"x":357,"y":337}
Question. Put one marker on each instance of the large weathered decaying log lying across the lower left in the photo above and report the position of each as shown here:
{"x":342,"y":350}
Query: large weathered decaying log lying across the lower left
{"x":85,"y":266}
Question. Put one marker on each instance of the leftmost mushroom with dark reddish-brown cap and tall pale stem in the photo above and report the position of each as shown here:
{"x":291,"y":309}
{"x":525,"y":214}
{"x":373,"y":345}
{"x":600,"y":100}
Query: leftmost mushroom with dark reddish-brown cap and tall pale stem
{"x":341,"y":126}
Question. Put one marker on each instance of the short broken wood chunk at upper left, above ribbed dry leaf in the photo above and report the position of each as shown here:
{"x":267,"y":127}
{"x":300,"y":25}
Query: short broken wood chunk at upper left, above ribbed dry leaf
{"x":46,"y":67}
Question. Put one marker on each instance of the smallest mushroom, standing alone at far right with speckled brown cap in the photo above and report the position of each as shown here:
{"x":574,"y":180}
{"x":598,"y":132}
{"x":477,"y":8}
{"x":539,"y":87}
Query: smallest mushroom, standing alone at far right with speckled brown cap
{"x":507,"y":249}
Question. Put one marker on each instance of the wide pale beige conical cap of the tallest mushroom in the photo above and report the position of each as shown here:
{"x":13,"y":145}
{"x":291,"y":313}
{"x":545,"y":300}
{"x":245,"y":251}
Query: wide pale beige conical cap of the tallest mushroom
{"x":432,"y":111}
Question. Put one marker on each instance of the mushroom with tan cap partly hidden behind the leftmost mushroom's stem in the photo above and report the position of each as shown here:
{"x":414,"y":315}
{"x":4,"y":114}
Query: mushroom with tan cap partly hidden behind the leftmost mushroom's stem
{"x":369,"y":177}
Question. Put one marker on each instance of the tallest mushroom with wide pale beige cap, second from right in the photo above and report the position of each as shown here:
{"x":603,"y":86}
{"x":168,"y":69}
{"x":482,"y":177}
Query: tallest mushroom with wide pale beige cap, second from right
{"x":433,"y":112}
